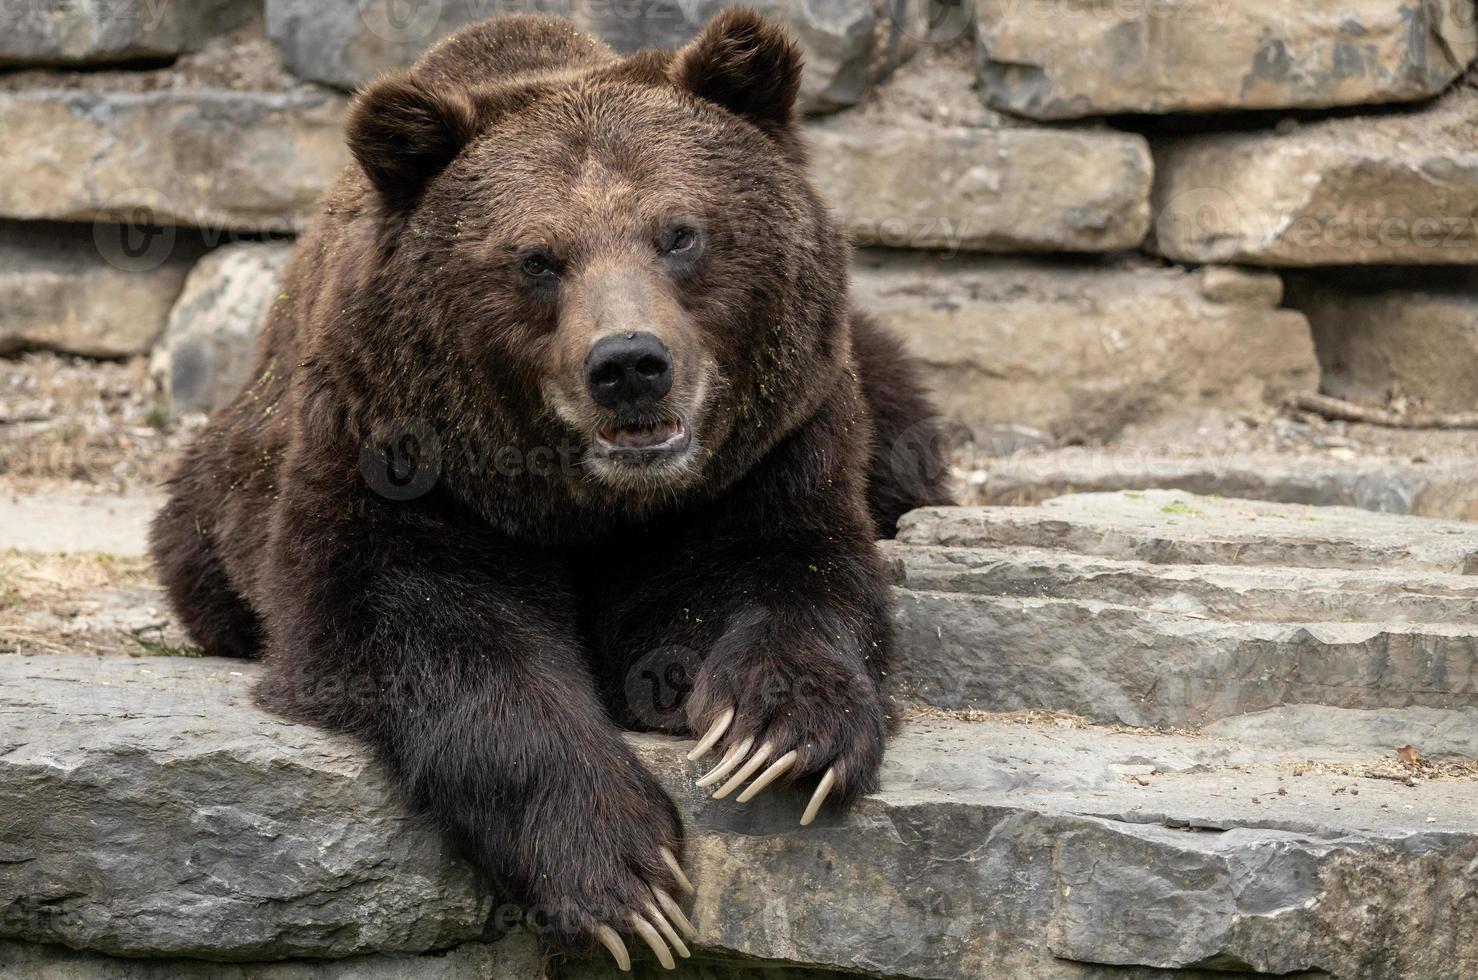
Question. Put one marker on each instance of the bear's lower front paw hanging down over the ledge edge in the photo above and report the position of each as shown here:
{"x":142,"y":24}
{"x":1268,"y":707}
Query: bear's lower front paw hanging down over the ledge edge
{"x":607,"y":870}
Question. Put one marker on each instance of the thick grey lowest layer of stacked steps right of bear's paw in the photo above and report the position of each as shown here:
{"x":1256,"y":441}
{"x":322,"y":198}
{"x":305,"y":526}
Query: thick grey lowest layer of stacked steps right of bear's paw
{"x":1130,"y":666}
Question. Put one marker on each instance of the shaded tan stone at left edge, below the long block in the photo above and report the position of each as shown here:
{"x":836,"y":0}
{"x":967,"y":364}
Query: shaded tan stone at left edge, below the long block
{"x":66,"y":289}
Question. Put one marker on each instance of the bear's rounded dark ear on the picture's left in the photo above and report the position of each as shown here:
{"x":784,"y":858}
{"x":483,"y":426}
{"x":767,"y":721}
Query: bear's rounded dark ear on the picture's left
{"x":404,"y":132}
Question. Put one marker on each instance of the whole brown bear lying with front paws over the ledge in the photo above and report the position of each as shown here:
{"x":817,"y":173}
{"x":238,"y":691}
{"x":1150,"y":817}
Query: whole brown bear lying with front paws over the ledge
{"x":564,"y":397}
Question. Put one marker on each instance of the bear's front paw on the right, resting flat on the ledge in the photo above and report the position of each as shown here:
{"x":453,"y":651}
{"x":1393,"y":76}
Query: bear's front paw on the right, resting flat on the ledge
{"x":790,"y":718}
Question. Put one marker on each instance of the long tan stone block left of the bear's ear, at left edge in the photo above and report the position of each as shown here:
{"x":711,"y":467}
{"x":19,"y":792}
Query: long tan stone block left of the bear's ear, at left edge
{"x":171,"y":154}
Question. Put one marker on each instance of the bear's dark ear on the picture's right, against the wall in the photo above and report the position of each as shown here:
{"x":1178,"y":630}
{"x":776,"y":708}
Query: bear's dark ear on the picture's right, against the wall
{"x":746,"y":64}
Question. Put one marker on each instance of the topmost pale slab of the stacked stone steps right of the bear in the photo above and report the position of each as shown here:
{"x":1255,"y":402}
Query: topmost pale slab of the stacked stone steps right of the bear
{"x":1179,"y":528}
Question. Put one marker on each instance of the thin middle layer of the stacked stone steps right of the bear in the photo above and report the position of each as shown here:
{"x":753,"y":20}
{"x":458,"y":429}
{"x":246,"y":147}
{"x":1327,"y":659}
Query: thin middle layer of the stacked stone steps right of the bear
{"x":1213,"y":592}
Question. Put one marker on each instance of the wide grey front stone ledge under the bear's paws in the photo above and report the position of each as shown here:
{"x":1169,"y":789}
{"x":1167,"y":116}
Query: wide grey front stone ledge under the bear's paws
{"x":998,"y":846}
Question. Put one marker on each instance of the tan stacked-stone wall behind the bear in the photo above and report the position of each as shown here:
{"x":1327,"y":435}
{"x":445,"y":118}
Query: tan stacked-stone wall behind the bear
{"x":1105,"y":140}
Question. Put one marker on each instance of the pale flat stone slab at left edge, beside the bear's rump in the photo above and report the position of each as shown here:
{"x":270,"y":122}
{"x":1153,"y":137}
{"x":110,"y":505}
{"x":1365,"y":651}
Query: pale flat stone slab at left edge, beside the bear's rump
{"x":67,"y":524}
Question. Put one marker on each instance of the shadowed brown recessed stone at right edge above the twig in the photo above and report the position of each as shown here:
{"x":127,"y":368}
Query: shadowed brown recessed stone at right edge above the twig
{"x":1411,"y":339}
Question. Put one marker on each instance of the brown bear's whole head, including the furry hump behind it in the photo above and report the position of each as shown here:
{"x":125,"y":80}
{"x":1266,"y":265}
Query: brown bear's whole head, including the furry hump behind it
{"x":621,"y":259}
